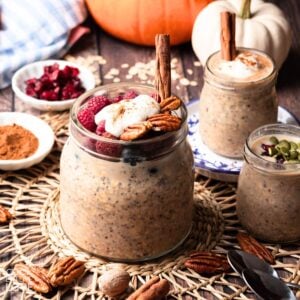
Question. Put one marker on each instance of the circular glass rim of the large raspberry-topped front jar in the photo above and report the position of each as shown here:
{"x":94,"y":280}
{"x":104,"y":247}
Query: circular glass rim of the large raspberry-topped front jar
{"x":81,"y":99}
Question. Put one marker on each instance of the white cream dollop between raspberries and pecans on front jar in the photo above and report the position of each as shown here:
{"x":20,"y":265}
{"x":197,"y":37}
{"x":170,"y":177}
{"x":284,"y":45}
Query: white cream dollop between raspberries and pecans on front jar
{"x":120,"y":115}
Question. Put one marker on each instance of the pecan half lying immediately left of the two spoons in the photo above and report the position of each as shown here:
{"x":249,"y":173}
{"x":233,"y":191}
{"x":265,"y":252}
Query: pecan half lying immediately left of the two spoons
{"x":207,"y":263}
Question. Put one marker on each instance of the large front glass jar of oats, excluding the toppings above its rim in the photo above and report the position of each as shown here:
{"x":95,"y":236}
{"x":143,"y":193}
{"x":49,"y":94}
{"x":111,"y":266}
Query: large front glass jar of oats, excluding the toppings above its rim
{"x":133,"y":202}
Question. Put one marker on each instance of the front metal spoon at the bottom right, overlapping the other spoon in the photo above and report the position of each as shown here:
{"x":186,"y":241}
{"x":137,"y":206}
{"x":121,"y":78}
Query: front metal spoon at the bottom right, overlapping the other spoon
{"x":267,"y":286}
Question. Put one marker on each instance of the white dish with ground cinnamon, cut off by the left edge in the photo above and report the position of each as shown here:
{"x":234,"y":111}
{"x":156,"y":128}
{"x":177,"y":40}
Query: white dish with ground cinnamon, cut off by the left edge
{"x":25,"y":140}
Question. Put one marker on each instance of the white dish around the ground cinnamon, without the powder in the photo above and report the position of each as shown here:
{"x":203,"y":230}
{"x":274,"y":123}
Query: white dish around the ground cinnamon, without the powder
{"x":39,"y":128}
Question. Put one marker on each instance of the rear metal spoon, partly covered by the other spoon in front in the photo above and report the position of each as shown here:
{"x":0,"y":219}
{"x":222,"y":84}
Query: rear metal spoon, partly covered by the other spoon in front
{"x":240,"y":260}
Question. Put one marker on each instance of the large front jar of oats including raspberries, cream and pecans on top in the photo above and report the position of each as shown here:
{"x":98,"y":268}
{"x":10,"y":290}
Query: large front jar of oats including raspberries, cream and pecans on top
{"x":127,"y":174}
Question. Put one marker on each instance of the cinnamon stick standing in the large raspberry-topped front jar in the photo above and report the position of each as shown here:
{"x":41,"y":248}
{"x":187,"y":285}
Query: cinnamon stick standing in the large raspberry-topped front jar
{"x":163,"y":68}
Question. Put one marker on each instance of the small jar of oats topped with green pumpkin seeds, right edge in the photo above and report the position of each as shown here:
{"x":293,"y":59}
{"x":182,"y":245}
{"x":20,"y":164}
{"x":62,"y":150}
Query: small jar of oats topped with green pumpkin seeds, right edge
{"x":268,"y":194}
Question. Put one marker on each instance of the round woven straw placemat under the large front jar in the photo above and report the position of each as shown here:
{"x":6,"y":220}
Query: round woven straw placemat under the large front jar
{"x":35,"y":236}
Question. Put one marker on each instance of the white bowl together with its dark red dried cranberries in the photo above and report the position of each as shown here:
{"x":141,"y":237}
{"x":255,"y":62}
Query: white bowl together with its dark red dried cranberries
{"x":52,"y":85}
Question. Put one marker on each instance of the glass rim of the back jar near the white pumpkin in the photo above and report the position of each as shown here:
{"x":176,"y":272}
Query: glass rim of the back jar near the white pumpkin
{"x":241,"y":84}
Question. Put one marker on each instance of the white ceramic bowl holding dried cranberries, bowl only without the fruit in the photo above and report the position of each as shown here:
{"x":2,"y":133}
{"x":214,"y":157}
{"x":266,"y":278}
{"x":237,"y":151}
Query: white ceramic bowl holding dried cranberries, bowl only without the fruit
{"x":36,"y":70}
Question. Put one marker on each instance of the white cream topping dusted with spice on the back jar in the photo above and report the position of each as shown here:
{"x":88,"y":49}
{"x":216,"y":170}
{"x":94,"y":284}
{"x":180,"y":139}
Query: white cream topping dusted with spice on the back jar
{"x":243,"y":66}
